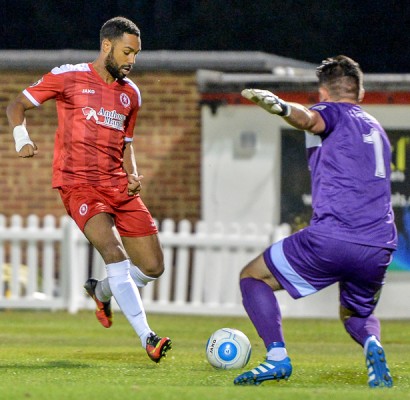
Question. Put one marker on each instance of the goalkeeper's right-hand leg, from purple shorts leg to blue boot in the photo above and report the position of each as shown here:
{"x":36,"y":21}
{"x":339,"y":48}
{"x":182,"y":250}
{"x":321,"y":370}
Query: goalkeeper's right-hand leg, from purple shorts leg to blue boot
{"x":359,"y":297}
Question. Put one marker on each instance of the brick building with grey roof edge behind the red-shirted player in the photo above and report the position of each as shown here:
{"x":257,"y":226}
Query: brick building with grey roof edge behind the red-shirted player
{"x":168,"y":131}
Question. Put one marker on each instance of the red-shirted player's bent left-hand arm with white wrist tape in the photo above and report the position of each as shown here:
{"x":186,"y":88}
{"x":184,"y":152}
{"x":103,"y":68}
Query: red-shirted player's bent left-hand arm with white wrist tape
{"x":25,"y":147}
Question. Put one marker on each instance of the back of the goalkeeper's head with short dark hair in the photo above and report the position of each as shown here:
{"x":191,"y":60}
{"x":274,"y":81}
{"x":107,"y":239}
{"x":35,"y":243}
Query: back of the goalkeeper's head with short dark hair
{"x":342,"y":76}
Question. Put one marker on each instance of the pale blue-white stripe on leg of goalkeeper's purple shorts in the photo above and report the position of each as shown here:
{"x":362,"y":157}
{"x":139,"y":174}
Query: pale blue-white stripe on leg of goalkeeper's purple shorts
{"x":282,"y":265}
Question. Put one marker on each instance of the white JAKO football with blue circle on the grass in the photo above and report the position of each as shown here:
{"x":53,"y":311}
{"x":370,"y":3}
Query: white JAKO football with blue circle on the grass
{"x":228,"y":349}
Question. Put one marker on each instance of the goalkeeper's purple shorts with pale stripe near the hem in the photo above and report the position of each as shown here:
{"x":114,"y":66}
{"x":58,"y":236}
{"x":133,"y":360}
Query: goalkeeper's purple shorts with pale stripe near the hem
{"x":305,"y":263}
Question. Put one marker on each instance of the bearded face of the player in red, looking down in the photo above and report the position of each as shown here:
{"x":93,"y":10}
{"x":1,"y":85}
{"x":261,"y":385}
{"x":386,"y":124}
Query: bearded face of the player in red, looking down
{"x":122,"y":55}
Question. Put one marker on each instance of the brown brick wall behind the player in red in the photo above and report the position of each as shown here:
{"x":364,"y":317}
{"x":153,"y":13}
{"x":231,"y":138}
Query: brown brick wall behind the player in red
{"x":167,"y":145}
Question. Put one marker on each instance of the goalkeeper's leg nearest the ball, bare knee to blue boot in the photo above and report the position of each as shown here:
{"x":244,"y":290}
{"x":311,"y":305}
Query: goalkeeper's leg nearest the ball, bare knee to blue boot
{"x":257,"y":287}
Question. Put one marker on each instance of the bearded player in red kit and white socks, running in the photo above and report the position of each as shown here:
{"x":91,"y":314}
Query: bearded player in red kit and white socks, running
{"x":95,"y":171}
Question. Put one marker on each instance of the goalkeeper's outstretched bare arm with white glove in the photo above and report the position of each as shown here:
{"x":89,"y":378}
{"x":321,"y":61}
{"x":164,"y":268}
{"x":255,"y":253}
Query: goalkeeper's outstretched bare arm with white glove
{"x":294,"y":114}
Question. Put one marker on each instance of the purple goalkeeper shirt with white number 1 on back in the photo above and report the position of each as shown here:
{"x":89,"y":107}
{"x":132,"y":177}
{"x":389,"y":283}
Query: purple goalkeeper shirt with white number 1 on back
{"x":350,"y":176}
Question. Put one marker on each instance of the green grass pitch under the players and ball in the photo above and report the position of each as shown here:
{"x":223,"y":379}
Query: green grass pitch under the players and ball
{"x":56,"y":355}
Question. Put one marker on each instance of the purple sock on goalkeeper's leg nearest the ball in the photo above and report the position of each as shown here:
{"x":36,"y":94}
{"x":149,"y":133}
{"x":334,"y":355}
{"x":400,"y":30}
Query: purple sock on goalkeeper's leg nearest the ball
{"x":263,"y":309}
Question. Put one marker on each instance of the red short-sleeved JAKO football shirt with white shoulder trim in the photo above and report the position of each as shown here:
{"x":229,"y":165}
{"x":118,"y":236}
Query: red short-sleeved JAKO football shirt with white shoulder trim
{"x":95,"y":120}
